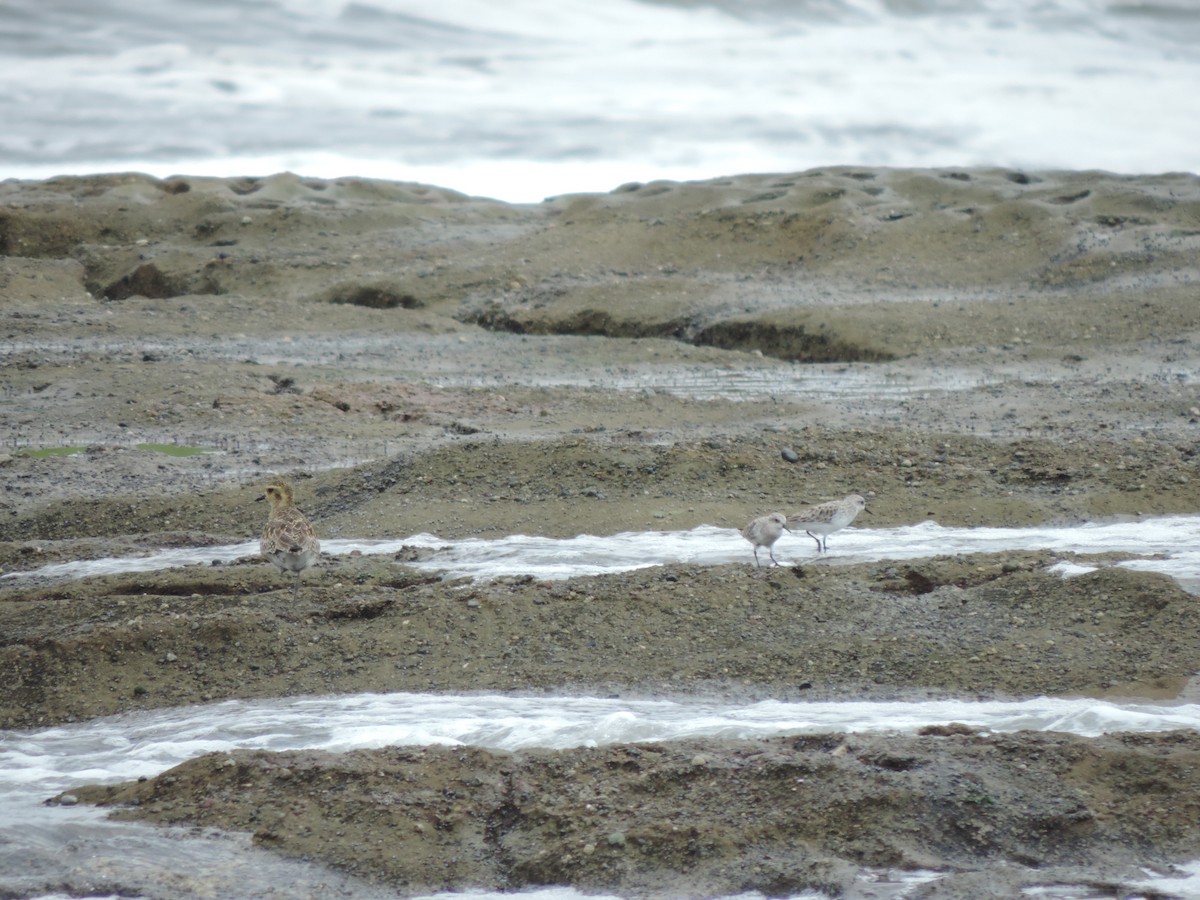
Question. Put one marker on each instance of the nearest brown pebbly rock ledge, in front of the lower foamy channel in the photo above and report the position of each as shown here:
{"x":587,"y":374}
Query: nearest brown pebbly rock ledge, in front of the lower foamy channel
{"x":688,"y":819}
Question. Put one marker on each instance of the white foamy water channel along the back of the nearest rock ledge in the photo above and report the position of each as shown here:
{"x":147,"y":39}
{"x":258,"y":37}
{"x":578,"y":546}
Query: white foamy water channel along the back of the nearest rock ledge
{"x":142,"y":745}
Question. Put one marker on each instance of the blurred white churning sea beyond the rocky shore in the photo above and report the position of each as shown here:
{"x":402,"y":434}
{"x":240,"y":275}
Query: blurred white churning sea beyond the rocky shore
{"x":529,"y":99}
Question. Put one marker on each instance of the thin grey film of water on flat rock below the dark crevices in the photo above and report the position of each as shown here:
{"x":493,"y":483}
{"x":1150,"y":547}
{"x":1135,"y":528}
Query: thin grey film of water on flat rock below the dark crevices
{"x":458,"y":362}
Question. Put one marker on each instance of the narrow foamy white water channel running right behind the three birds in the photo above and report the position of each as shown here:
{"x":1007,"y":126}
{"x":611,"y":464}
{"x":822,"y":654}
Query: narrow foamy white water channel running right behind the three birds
{"x":1169,"y":545}
